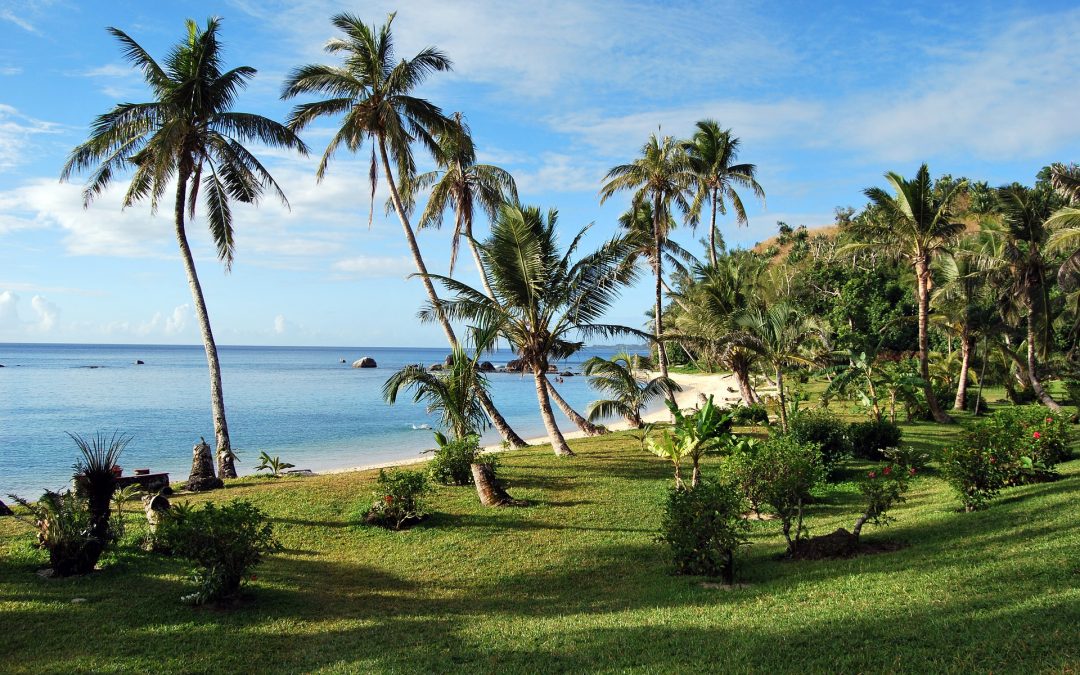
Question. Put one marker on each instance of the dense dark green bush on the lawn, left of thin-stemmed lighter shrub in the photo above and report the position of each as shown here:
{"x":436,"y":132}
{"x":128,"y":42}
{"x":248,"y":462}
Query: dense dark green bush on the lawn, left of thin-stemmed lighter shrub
{"x":704,"y":529}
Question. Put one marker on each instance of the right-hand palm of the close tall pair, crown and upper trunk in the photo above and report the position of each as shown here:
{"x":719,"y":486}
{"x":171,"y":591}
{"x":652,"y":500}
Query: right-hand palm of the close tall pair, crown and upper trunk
{"x":712,"y":153}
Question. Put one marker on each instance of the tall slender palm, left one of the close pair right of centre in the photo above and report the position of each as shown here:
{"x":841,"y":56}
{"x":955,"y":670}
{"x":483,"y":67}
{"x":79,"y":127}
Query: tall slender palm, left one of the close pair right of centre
{"x":663,"y":179}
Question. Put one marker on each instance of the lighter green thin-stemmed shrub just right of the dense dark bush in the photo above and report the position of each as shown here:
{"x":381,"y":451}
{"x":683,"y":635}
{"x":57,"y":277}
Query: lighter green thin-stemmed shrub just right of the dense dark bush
{"x":779,"y":475}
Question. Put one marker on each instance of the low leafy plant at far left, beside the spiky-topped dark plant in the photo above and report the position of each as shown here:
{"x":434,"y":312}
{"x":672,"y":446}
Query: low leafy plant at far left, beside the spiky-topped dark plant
{"x":65,"y":531}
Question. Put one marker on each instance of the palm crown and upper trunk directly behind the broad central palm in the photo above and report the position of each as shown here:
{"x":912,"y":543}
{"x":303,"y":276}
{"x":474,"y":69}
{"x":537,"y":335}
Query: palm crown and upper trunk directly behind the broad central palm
{"x":463,"y":185}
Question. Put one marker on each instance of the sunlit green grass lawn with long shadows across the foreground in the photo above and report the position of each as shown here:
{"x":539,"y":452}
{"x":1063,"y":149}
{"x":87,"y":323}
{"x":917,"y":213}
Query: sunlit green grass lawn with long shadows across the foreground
{"x":574,"y":583}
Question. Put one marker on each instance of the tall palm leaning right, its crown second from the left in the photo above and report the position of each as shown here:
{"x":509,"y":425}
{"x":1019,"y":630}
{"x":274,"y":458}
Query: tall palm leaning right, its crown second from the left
{"x":374,"y":93}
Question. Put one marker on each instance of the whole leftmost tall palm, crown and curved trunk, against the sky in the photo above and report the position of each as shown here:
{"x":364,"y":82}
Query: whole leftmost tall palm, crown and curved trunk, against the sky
{"x":188,"y":136}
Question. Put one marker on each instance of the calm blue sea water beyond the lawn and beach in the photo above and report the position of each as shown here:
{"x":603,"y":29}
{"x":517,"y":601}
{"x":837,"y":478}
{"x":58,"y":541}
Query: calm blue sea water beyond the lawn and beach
{"x":298,"y":402}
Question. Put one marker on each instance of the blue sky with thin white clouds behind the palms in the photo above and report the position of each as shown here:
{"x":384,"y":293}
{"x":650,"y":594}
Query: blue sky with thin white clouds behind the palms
{"x":825,"y":99}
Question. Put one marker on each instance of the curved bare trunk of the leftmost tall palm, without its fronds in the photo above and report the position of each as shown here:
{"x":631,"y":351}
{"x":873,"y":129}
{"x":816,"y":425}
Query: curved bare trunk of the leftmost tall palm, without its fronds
{"x":226,"y":466}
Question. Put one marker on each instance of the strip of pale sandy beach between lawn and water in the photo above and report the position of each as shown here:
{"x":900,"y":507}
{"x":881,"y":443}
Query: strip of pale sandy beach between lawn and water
{"x":722,"y":387}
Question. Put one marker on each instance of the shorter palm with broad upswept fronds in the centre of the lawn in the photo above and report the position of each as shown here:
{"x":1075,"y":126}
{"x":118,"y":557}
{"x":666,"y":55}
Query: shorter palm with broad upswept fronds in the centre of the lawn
{"x":542,"y":300}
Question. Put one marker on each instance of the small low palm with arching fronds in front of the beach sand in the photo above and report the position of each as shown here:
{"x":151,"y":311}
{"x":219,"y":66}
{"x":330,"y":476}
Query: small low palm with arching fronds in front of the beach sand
{"x":631,"y":393}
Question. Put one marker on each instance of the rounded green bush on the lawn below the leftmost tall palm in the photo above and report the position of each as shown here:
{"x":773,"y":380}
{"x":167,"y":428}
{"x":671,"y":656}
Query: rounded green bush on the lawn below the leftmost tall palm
{"x":225,"y":544}
